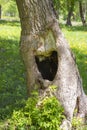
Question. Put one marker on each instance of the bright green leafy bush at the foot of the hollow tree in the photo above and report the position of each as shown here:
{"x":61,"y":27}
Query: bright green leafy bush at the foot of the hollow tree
{"x":48,"y":115}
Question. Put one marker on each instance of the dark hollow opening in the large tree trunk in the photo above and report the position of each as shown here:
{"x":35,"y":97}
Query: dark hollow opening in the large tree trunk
{"x":47,"y":65}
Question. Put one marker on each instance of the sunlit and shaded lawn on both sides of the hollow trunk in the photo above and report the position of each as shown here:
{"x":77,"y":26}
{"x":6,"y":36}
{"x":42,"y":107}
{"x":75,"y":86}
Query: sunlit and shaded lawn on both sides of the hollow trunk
{"x":12,"y":73}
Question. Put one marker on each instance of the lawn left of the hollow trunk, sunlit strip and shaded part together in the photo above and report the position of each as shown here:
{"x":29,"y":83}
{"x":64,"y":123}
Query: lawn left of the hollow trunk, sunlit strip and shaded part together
{"x":12,"y":78}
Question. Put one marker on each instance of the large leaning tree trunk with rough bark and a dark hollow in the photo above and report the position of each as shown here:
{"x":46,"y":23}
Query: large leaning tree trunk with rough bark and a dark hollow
{"x":47,"y":56}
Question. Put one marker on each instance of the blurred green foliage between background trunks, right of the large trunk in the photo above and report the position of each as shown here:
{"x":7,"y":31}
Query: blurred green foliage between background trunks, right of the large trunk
{"x":63,"y":7}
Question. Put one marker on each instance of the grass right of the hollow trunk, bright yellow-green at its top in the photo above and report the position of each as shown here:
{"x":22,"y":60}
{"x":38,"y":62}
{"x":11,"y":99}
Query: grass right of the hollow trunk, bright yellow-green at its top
{"x":77,"y":38}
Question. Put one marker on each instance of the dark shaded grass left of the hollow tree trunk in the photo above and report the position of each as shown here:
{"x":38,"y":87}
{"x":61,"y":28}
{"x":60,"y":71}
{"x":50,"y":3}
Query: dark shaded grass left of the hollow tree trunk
{"x":12,"y":79}
